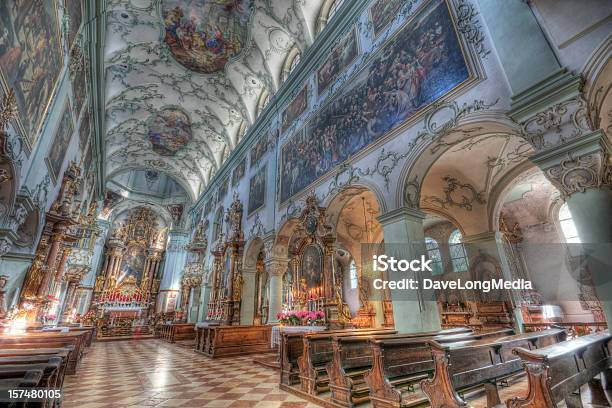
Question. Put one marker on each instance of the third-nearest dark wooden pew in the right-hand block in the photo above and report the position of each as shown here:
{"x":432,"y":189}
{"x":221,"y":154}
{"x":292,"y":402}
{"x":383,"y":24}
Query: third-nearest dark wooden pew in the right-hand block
{"x":398,"y":364}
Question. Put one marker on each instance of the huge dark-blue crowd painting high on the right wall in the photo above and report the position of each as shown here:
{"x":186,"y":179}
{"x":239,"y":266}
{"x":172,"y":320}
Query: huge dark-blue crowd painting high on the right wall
{"x":422,"y":63}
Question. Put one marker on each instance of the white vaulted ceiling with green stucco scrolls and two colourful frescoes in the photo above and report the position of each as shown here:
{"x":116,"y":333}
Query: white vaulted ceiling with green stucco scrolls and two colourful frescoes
{"x":184,"y":78}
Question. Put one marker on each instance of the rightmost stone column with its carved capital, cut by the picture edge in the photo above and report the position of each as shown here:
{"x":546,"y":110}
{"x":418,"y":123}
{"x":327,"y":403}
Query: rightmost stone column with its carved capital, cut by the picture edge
{"x":582,"y":171}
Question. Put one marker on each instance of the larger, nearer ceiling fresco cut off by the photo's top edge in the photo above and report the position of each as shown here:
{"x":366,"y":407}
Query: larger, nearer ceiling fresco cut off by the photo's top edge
{"x":203,"y":35}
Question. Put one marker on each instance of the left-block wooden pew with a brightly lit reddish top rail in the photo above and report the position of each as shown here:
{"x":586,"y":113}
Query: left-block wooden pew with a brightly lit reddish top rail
{"x":49,"y":340}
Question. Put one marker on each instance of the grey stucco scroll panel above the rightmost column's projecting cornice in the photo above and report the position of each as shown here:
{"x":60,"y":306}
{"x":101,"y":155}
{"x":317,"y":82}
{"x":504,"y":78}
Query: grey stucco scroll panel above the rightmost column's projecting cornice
{"x":557,"y":124}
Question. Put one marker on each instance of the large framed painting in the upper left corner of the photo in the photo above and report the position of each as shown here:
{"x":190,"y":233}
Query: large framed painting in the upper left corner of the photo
{"x":31,"y":58}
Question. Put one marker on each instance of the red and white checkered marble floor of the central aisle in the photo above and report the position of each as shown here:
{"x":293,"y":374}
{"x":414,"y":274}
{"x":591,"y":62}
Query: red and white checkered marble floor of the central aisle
{"x":153,"y":373}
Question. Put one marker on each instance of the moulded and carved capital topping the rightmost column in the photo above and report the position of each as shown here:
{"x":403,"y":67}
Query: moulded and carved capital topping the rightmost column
{"x":580,"y":165}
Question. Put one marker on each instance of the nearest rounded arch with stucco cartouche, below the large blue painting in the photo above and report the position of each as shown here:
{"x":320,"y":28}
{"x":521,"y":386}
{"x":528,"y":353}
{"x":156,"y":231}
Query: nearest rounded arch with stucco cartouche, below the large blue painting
{"x":445,"y":131}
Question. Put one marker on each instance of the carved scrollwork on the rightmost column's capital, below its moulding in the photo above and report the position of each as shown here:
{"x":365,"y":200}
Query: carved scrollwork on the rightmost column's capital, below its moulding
{"x":578,"y":174}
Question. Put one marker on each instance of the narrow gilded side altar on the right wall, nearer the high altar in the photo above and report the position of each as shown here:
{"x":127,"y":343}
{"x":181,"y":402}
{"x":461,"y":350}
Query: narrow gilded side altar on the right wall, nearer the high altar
{"x":226,"y":295}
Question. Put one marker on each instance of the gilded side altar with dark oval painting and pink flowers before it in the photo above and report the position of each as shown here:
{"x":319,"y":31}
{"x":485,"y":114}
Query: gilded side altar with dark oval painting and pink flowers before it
{"x":313,"y":283}
